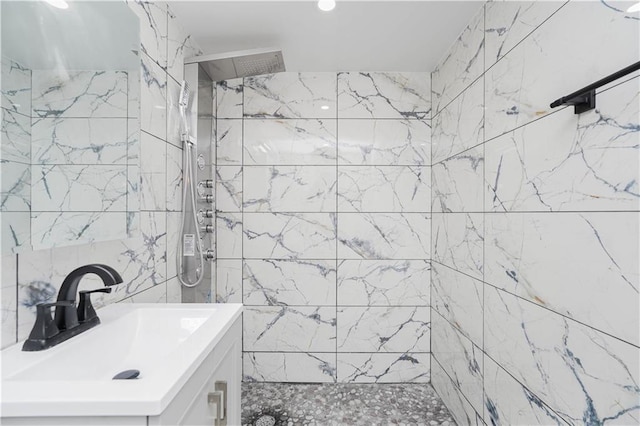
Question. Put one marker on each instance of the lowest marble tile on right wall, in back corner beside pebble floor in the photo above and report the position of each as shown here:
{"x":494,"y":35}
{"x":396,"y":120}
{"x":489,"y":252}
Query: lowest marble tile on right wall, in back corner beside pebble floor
{"x":456,"y":403}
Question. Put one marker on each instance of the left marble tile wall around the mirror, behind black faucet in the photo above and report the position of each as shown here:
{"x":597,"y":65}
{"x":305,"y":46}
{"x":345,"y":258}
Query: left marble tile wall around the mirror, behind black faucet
{"x":148,"y":271}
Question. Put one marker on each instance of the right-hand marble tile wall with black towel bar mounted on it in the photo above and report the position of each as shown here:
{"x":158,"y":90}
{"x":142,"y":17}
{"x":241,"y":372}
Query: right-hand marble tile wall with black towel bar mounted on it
{"x":535,"y":218}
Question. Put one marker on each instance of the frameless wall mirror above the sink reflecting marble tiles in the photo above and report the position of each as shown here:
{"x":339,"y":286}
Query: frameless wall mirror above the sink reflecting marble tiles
{"x":70,"y":123}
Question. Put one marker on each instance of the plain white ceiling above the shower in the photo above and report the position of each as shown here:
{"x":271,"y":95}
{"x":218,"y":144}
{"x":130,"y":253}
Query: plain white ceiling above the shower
{"x":355,"y":36}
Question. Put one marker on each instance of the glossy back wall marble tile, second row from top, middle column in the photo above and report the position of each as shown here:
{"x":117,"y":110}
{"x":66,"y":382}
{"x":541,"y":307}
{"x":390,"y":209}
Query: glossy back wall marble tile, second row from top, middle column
{"x":293,"y":142}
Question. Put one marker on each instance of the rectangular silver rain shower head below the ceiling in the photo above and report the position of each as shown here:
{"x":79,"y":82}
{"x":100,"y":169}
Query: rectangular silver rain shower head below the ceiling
{"x":242,"y":63}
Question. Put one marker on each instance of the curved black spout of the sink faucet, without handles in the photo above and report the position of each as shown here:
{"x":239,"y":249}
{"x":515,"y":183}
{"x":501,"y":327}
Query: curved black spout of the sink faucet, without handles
{"x":66,"y":317}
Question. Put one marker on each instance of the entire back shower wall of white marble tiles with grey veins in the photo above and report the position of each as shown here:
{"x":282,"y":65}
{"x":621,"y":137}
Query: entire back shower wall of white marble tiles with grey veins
{"x":323,"y":200}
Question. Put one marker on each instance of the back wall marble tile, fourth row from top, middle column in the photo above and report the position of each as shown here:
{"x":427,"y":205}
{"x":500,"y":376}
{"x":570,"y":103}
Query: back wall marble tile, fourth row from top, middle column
{"x":289,"y":235}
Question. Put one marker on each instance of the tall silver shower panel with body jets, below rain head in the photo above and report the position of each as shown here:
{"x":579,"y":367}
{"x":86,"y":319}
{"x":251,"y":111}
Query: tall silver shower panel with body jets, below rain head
{"x":201,"y":130}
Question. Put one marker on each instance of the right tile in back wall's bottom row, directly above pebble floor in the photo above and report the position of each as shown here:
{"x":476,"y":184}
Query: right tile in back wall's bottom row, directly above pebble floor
{"x":383,"y":368}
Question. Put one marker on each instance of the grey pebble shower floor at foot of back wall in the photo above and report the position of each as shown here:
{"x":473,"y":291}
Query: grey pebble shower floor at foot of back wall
{"x":342,"y":405}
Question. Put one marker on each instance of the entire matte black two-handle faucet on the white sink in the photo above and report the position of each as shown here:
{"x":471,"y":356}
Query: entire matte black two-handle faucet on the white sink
{"x":69,"y":320}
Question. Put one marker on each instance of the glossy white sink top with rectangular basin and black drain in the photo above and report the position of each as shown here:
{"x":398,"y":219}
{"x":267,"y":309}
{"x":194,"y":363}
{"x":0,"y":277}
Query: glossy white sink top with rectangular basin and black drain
{"x":165,"y":342}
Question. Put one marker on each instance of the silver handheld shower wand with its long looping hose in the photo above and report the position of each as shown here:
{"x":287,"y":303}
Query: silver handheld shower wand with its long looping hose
{"x":189,"y":256}
